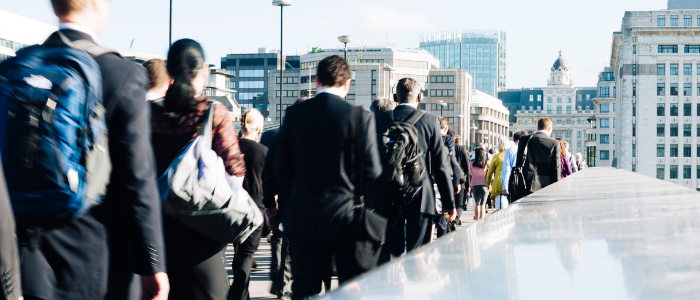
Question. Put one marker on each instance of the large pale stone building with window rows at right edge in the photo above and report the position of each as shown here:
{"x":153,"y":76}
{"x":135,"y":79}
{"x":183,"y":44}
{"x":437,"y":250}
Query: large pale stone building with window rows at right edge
{"x":656,"y":60}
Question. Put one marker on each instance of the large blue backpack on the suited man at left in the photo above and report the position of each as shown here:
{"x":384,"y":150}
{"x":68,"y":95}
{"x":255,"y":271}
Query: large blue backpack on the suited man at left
{"x":53,"y":134}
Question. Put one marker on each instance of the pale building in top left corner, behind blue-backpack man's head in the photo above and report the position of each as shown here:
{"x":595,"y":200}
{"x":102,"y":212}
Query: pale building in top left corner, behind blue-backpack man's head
{"x":17,"y":32}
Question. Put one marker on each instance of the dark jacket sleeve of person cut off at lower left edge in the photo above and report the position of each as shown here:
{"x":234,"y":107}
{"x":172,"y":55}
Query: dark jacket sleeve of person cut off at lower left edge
{"x":10,"y":287}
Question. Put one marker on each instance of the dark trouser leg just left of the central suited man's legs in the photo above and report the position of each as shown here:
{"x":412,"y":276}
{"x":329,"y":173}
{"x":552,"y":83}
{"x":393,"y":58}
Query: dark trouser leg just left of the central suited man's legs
{"x":280,"y":269}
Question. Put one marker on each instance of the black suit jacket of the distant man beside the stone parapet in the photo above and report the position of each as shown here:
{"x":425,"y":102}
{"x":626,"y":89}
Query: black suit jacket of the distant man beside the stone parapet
{"x":543,"y":164}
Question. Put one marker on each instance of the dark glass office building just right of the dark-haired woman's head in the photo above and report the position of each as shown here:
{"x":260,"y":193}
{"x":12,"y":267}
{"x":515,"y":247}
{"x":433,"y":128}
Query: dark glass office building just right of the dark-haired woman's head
{"x":251,"y":76}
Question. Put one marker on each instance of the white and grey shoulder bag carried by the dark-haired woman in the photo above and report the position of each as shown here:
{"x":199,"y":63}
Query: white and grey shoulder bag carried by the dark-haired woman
{"x":197,"y":191}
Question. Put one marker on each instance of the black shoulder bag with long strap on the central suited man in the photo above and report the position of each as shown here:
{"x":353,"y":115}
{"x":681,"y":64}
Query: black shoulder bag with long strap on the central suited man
{"x":368,"y":228}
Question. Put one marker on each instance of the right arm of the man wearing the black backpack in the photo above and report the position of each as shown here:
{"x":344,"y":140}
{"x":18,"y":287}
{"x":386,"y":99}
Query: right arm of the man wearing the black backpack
{"x":441,"y":167}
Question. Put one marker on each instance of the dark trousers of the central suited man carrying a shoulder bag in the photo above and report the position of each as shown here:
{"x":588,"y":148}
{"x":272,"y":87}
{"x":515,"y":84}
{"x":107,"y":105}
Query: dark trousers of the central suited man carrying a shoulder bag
{"x":311,"y":261}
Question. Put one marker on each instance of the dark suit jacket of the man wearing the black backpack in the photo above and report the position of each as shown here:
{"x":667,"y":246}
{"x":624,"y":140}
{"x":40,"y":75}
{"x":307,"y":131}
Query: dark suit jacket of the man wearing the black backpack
{"x":433,"y":150}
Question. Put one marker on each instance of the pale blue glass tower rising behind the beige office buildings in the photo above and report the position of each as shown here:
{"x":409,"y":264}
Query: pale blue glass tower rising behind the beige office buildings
{"x":482,"y":53}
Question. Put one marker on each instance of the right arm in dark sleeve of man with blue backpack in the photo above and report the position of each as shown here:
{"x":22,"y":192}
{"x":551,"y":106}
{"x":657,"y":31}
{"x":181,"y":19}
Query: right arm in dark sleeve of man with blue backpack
{"x":133,"y":176}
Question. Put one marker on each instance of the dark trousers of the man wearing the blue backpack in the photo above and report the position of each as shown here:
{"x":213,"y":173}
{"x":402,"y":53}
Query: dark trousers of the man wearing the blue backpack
{"x":65,"y":262}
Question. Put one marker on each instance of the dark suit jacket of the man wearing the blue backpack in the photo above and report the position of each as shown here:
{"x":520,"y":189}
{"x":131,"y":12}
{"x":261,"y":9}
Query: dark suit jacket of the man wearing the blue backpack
{"x":131,"y":208}
